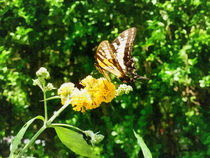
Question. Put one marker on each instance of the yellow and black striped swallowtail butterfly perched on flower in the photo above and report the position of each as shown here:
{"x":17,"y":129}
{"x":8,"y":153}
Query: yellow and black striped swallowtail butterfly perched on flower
{"x":116,"y":57}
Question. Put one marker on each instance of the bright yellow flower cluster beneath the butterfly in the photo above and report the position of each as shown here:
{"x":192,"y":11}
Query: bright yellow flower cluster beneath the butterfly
{"x":95,"y":92}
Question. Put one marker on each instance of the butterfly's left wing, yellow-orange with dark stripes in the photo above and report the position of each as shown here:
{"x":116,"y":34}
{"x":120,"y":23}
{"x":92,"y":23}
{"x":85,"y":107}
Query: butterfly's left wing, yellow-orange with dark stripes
{"x":106,"y":61}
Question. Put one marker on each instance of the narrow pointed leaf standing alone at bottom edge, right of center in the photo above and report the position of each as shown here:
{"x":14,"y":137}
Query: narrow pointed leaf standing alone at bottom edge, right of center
{"x":145,"y":149}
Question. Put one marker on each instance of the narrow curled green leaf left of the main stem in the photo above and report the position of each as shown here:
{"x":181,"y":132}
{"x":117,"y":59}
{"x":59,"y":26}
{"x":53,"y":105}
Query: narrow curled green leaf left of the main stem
{"x":19,"y":136}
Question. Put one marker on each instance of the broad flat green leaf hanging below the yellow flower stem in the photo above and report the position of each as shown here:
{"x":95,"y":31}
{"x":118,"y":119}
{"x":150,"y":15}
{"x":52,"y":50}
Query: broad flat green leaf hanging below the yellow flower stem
{"x":74,"y":141}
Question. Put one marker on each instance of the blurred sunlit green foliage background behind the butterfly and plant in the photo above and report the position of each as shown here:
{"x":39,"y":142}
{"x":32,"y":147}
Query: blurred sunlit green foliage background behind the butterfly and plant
{"x":171,"y":111}
